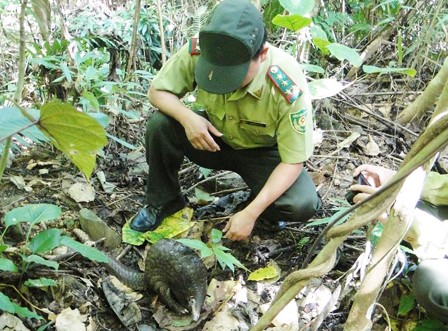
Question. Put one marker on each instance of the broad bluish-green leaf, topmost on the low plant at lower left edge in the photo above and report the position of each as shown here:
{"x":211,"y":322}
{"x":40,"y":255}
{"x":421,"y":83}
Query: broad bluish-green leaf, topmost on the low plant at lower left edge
{"x":33,"y":213}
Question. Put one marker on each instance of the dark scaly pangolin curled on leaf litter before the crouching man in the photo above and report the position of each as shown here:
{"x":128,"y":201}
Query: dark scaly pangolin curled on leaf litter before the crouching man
{"x":172,"y":270}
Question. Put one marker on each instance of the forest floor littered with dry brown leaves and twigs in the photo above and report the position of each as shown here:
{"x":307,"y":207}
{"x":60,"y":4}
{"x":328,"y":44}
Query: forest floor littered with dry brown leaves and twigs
{"x":345,"y":138}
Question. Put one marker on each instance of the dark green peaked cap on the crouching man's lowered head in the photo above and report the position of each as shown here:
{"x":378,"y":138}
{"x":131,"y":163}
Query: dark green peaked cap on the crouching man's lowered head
{"x":228,"y":42}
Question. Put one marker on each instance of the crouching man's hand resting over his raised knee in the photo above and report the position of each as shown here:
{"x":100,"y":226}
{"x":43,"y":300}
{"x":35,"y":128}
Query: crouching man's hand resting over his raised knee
{"x":199,"y":132}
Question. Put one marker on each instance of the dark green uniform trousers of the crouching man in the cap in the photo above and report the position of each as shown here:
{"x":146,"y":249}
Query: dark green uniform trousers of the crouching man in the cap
{"x":167,"y":145}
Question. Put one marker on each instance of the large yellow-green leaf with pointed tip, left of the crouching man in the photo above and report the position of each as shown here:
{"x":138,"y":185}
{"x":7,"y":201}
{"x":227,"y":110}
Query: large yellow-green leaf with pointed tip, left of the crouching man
{"x":76,"y":134}
